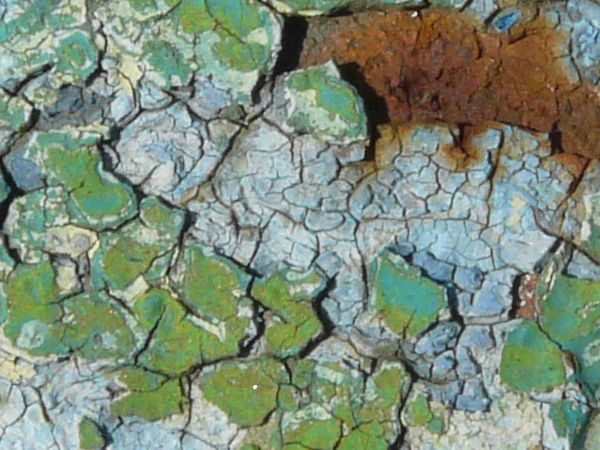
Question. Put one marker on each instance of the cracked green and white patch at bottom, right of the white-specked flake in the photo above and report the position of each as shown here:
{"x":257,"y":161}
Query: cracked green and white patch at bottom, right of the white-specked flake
{"x":340,"y":396}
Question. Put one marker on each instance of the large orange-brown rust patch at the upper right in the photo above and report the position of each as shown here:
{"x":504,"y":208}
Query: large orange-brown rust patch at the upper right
{"x":442,"y":66}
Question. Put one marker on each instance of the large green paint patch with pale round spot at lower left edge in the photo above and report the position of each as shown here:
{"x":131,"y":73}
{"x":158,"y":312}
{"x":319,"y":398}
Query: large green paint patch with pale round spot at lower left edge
{"x":44,"y":323}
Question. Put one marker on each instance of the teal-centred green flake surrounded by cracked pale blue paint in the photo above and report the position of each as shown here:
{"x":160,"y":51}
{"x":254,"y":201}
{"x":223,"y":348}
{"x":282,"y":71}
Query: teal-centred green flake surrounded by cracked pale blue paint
{"x":407,"y":302}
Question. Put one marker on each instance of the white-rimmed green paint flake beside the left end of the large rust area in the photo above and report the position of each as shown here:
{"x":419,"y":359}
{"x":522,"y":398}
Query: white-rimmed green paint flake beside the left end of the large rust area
{"x":325,"y":104}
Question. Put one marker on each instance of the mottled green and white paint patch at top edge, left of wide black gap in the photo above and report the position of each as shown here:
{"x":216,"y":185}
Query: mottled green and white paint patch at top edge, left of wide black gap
{"x":230,"y":42}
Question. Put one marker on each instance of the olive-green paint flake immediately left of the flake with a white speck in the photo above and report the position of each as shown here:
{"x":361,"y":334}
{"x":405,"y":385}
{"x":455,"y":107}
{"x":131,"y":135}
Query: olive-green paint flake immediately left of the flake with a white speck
{"x":151,"y":397}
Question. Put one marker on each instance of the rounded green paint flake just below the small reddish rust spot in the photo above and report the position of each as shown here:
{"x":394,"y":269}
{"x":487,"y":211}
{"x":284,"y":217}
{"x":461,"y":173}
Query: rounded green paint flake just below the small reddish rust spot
{"x":531,"y":361}
